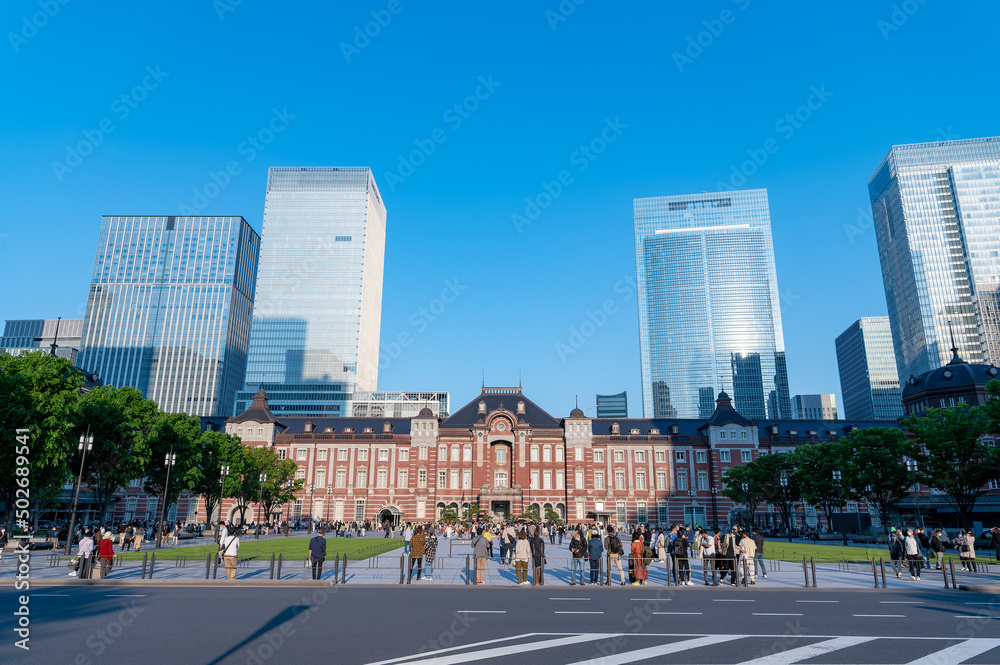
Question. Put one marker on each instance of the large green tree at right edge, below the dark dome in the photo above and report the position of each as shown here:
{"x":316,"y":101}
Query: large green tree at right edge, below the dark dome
{"x":954,"y":460}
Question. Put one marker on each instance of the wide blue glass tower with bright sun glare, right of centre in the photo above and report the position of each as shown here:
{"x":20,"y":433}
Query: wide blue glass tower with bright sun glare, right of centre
{"x":709,"y":317}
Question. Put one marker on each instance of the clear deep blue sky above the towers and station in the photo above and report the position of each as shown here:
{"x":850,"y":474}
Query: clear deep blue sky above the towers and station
{"x":631,"y":100}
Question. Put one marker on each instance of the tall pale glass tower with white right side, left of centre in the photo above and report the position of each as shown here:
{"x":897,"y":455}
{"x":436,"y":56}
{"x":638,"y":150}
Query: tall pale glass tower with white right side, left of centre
{"x":315,"y":334}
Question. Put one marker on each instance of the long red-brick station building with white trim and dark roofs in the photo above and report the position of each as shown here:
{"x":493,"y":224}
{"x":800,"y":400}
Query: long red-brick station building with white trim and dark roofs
{"x":506,"y":454}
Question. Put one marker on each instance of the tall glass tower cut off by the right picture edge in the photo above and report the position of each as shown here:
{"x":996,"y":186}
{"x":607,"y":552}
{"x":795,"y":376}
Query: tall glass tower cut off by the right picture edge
{"x":937,"y":221}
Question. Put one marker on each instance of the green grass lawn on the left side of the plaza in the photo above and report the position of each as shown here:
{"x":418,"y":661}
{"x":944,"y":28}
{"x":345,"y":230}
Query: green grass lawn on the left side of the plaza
{"x":291,"y":548}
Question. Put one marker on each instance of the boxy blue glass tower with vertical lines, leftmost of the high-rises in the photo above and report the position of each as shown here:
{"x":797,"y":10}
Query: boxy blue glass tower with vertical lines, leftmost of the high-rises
{"x":169,"y":309}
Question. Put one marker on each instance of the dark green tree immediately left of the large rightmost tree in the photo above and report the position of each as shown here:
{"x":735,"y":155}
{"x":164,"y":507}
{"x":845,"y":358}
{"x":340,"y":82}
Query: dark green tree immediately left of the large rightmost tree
{"x":875,"y":470}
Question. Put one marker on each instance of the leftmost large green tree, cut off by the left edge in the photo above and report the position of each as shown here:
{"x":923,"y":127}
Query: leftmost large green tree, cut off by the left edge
{"x":41,"y":394}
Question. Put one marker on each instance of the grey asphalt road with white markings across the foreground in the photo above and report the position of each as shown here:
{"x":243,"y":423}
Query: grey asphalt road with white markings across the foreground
{"x":603,"y":626}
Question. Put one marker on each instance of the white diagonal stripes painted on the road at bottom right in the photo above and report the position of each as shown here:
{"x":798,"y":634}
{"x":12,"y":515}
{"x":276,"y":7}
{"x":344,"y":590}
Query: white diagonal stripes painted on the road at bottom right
{"x":624,"y":648}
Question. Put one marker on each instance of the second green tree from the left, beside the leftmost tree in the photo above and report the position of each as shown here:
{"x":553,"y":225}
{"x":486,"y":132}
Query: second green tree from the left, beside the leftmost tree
{"x":123,"y":424}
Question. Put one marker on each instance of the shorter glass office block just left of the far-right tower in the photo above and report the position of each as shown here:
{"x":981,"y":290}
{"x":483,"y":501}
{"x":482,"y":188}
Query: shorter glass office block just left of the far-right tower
{"x":869,"y":383}
